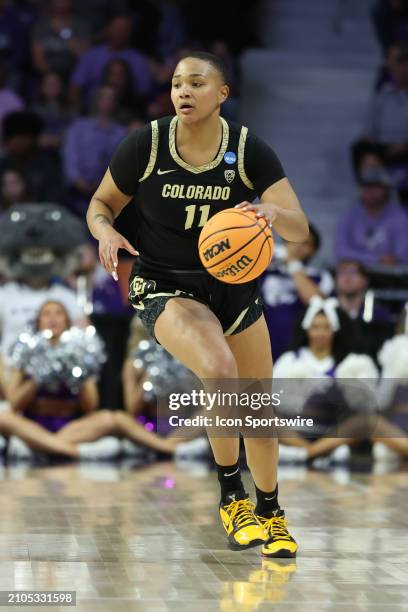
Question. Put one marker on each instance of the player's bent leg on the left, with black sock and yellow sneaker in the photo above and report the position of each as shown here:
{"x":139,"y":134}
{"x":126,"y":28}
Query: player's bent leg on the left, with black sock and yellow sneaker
{"x":192,"y":334}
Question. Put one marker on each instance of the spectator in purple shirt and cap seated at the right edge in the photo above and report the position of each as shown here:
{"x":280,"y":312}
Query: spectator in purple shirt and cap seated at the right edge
{"x":375,"y":231}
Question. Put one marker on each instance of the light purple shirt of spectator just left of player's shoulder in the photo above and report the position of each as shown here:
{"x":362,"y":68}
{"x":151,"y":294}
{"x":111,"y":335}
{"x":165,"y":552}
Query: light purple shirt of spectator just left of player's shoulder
{"x":88,"y":148}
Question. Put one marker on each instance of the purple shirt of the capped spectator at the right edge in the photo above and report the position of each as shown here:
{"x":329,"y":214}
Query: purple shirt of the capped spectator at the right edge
{"x":366,"y":238}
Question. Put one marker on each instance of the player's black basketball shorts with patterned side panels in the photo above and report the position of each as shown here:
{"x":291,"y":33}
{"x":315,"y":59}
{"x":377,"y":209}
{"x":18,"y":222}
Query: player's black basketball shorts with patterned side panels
{"x":152,"y":286}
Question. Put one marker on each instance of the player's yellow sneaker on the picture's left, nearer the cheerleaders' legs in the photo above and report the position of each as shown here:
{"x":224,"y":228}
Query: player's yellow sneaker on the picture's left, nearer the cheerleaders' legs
{"x":242,"y":526}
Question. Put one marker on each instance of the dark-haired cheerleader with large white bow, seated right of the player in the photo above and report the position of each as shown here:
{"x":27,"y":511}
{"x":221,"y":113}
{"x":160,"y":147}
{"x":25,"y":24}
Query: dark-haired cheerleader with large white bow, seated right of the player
{"x":323,"y":349}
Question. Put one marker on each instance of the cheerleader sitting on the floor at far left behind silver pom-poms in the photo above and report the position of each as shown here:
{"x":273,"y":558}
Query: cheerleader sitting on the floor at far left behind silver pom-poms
{"x":60,"y":421}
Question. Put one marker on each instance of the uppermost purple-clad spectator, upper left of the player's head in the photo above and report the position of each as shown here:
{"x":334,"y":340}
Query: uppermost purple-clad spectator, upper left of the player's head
{"x":89,"y":71}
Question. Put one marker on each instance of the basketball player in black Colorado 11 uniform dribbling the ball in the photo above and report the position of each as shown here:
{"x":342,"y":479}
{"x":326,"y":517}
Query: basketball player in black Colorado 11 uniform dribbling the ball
{"x":178,"y":172}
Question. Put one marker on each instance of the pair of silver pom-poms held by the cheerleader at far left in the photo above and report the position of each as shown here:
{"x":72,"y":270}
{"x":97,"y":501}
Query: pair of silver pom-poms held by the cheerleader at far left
{"x":78,"y":354}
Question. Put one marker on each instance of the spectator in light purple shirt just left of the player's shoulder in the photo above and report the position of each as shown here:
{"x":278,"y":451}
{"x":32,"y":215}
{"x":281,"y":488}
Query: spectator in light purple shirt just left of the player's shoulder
{"x":88,"y":147}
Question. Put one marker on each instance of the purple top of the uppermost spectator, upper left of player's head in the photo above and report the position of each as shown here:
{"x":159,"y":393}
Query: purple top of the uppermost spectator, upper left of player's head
{"x":89,"y":70}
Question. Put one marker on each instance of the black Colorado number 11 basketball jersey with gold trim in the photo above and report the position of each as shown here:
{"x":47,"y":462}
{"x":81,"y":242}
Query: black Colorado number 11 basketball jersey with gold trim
{"x":173,"y":200}
